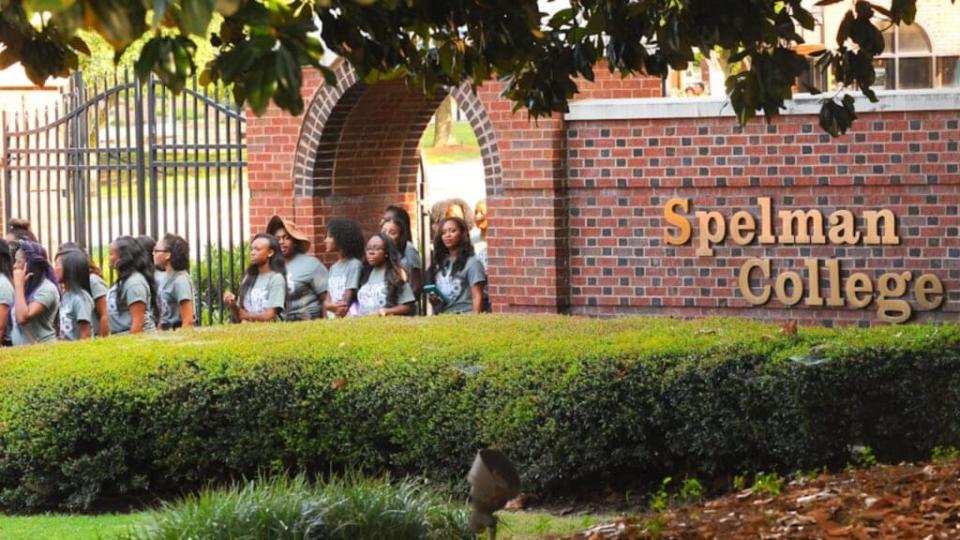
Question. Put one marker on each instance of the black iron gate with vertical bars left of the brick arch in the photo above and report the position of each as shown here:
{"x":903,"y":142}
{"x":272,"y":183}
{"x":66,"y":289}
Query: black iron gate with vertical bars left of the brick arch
{"x":114,"y":157}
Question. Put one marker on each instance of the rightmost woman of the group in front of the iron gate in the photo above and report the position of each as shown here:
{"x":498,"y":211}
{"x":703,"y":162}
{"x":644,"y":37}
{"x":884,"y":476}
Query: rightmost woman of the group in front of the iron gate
{"x":171,"y":257}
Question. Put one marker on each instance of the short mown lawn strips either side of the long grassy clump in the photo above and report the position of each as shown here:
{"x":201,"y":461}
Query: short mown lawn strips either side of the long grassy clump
{"x":513,"y":525}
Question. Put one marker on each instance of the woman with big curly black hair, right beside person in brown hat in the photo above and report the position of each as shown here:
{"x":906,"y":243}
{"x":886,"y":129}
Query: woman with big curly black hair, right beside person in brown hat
{"x":345,"y":240}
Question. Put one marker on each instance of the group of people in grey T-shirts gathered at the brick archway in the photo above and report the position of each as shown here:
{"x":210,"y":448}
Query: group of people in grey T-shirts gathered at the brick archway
{"x":378,"y":275}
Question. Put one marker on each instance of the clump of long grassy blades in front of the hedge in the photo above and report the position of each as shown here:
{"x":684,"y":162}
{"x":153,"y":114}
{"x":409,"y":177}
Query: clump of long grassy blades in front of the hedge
{"x":294,"y":509}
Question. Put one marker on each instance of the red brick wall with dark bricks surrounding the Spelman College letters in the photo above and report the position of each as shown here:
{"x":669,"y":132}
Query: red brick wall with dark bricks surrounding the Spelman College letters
{"x":622,"y":173}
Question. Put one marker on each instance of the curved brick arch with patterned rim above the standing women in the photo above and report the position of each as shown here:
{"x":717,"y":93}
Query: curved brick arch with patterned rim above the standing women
{"x":357,"y":149}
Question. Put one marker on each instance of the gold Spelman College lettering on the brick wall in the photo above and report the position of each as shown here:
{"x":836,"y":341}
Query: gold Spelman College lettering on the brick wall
{"x":807,"y":227}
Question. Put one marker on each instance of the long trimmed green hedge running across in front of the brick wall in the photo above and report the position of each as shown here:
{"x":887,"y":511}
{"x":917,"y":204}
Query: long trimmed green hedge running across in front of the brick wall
{"x":572,"y":401}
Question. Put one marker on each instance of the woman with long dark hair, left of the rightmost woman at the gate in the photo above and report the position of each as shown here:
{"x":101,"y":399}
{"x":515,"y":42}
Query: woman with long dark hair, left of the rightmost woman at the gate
{"x":132,"y":301}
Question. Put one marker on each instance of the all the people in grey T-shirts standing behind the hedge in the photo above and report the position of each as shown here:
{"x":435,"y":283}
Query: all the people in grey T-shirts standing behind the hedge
{"x":42,"y":300}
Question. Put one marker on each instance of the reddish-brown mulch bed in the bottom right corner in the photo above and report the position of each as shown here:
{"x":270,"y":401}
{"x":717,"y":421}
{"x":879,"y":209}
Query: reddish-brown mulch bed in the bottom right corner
{"x":905,"y":501}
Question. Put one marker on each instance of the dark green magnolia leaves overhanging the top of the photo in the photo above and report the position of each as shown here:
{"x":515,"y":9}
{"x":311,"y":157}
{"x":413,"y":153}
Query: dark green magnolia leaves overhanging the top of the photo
{"x":263,"y":45}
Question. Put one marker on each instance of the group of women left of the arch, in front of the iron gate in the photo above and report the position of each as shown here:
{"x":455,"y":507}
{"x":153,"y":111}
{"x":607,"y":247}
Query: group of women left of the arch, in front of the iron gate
{"x":67,"y":298}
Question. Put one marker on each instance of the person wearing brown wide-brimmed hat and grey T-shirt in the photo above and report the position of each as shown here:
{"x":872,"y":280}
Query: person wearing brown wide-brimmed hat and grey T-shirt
{"x":306,"y":275}
